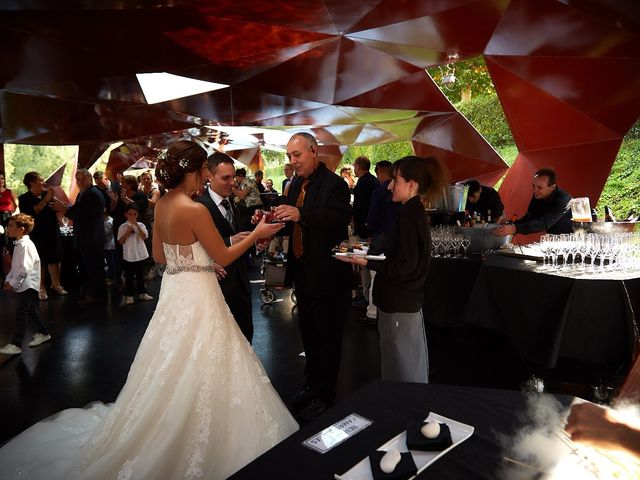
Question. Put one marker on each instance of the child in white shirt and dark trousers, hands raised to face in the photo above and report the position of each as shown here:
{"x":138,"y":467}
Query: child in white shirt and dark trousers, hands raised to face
{"x":131,"y":236}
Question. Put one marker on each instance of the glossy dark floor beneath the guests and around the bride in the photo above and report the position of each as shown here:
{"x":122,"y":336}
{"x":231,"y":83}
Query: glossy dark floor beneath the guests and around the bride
{"x":93,"y":347}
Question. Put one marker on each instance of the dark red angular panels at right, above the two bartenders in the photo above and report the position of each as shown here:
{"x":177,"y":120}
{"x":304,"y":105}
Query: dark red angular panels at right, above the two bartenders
{"x":569,"y":93}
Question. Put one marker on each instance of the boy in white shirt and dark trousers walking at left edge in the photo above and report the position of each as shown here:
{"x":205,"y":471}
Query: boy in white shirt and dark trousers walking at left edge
{"x":24,"y":279}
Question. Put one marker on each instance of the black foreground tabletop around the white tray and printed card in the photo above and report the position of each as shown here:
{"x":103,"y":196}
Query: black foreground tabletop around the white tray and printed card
{"x":496,"y":416}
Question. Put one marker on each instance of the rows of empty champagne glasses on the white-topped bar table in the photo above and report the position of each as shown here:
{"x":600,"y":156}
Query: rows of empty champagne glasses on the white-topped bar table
{"x":610,"y":251}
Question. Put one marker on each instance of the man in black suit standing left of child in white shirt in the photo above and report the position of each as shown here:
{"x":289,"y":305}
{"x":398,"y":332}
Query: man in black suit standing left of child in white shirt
{"x":88,"y":235}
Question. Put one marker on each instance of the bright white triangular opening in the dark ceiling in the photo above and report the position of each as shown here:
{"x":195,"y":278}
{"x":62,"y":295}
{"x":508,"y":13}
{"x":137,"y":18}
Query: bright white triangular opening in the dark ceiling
{"x":161,"y":87}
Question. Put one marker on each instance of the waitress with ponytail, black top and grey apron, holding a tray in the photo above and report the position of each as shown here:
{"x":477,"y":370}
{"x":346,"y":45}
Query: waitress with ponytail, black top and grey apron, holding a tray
{"x":400,"y":282}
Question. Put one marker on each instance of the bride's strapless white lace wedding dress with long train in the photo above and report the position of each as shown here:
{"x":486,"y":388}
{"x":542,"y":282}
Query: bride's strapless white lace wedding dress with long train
{"x":197,"y":403}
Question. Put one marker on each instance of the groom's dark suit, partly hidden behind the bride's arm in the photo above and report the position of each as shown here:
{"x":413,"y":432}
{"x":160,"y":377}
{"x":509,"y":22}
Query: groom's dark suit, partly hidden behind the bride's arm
{"x":235,"y":287}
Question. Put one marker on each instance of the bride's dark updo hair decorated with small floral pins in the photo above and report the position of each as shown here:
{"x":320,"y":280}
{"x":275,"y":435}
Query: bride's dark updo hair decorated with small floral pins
{"x":181,"y":157}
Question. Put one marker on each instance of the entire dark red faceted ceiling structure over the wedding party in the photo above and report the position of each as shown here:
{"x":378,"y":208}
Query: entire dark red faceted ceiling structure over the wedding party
{"x":350,"y":71}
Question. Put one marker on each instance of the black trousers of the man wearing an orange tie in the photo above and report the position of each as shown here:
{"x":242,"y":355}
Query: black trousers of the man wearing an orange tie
{"x":322,"y":310}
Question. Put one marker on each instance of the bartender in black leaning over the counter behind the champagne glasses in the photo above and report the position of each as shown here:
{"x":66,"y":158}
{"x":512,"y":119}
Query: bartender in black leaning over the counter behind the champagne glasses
{"x":548,"y":210}
